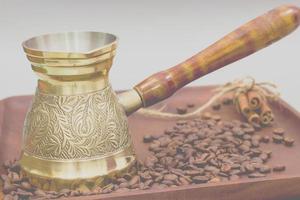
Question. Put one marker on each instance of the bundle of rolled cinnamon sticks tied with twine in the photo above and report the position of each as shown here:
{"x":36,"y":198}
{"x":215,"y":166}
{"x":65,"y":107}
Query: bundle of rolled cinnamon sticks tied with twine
{"x":254,"y":107}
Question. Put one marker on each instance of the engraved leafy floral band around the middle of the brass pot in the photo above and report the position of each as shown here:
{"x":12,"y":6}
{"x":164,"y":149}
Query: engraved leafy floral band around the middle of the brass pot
{"x":75,"y":127}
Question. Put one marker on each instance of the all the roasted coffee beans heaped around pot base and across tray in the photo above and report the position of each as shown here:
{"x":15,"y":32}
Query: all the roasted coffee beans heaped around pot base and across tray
{"x":195,"y":151}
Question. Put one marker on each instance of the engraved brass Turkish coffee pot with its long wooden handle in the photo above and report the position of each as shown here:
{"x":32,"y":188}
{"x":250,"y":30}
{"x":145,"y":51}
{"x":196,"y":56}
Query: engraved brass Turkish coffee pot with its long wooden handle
{"x":76,"y":131}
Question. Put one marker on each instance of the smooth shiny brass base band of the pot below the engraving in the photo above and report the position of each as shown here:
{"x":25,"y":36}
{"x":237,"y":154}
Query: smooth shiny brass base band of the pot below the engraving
{"x":58,"y":175}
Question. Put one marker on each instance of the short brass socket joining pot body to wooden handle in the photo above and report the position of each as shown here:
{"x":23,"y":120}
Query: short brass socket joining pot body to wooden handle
{"x":130,"y":100}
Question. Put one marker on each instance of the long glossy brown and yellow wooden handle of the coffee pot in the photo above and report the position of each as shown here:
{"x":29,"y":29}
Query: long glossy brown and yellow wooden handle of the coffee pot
{"x":238,"y":44}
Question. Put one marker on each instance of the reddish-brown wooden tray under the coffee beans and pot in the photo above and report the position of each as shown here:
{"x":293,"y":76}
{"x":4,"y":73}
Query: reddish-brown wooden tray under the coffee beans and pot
{"x":284,"y":185}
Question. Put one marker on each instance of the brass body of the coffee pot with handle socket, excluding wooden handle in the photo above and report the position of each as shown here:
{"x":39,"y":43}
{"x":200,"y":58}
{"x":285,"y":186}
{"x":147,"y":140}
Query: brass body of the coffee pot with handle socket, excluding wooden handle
{"x":76,"y":130}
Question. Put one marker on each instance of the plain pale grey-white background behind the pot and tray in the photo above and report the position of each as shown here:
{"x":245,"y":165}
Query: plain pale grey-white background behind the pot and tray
{"x":153,"y":35}
